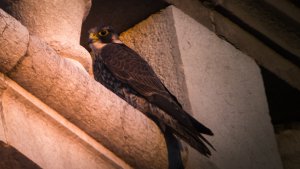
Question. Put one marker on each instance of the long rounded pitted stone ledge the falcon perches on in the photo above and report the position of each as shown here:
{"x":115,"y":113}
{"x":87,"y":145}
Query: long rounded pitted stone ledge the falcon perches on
{"x":91,"y":107}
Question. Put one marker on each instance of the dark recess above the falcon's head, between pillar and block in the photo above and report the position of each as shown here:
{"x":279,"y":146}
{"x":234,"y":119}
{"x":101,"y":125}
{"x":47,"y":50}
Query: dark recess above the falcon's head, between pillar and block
{"x":120,"y":14}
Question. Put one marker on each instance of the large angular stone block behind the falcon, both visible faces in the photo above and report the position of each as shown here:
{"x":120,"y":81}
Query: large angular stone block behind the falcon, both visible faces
{"x":223,"y":85}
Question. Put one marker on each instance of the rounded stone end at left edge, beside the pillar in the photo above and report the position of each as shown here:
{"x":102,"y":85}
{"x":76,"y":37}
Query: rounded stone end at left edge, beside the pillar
{"x":14,"y":39}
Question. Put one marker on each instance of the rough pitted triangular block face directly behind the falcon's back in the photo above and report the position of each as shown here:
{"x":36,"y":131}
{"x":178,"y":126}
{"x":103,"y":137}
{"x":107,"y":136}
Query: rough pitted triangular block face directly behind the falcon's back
{"x":155,"y":40}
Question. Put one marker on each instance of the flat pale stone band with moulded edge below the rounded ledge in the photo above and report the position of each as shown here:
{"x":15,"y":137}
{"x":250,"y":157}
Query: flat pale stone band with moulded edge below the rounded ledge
{"x":49,"y":142}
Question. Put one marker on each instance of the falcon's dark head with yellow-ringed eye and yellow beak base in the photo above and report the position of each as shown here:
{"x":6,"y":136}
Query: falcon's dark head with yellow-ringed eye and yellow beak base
{"x":104,"y":35}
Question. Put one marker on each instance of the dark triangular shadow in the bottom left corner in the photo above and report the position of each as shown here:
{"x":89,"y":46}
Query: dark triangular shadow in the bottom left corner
{"x":10,"y":158}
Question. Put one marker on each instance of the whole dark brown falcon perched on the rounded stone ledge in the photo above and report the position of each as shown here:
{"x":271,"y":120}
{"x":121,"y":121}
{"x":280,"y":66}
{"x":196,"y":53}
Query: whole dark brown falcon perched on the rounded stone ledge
{"x":127,"y":74}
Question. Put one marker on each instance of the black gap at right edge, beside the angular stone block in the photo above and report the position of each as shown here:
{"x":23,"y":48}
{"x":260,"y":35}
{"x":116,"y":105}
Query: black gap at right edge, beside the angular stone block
{"x":283,"y":100}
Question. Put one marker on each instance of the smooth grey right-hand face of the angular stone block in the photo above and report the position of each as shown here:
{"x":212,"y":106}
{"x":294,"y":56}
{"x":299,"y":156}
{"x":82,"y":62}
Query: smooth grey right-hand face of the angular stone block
{"x":226,"y":91}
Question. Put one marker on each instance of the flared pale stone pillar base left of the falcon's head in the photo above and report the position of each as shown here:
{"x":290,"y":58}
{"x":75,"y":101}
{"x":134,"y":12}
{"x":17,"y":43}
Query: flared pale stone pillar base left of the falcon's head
{"x":58,"y":23}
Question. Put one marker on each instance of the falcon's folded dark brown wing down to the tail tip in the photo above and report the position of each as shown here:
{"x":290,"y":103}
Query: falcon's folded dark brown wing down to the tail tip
{"x":130,"y":68}
